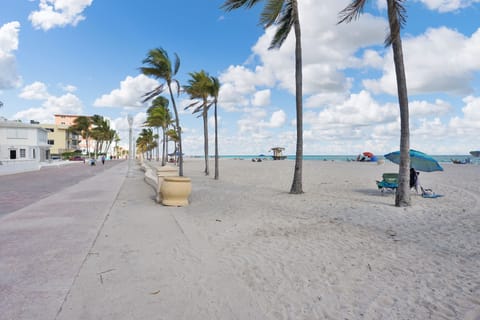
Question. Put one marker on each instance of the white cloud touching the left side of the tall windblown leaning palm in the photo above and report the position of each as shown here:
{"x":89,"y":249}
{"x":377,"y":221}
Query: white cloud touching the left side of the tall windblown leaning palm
{"x":130,"y":93}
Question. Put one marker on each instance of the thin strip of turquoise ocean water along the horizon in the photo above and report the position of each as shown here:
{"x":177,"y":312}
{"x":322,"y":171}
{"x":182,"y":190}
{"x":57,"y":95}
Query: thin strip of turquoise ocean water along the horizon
{"x":439,"y":158}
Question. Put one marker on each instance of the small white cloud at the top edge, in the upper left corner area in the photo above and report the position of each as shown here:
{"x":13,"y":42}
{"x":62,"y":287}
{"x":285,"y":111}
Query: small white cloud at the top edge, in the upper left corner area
{"x":58,"y":13}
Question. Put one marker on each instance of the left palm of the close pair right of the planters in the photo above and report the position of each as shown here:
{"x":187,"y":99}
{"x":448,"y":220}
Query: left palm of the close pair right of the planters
{"x":199,"y":87}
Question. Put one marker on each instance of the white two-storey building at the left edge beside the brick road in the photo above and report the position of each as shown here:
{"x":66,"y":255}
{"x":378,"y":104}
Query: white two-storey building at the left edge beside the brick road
{"x":22,"y":145}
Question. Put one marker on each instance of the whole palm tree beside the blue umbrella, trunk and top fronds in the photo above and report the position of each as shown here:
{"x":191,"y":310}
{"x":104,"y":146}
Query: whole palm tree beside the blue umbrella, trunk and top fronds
{"x":396,"y":19}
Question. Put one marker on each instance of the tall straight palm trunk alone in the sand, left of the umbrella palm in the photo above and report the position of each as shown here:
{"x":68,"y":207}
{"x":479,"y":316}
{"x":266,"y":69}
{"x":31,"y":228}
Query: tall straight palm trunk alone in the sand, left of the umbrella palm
{"x":297,"y":175}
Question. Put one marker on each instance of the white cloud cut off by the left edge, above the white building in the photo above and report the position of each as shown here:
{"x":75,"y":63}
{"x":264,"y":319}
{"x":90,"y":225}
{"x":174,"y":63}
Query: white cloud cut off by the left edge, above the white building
{"x":8,"y":44}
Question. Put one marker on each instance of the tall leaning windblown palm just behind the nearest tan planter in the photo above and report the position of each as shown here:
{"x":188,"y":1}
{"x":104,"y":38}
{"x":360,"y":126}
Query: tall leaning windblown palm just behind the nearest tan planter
{"x":160,"y":67}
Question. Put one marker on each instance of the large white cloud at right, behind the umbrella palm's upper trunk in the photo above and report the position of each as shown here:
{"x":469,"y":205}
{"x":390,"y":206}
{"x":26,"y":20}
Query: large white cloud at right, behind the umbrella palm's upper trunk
{"x":440,"y":60}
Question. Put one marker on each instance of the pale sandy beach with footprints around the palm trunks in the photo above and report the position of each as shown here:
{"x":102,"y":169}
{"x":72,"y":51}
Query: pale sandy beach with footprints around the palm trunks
{"x":246,"y":249}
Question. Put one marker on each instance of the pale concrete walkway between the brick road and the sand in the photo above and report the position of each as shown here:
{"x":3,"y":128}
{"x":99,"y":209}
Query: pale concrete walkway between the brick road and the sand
{"x":44,"y":245}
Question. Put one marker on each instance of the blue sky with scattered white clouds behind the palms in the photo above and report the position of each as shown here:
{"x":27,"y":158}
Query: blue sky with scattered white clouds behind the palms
{"x":83,"y":57}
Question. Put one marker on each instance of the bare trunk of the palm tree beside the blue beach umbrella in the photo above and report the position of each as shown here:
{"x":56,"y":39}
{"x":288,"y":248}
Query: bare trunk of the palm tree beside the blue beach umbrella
{"x":402,"y":196}
